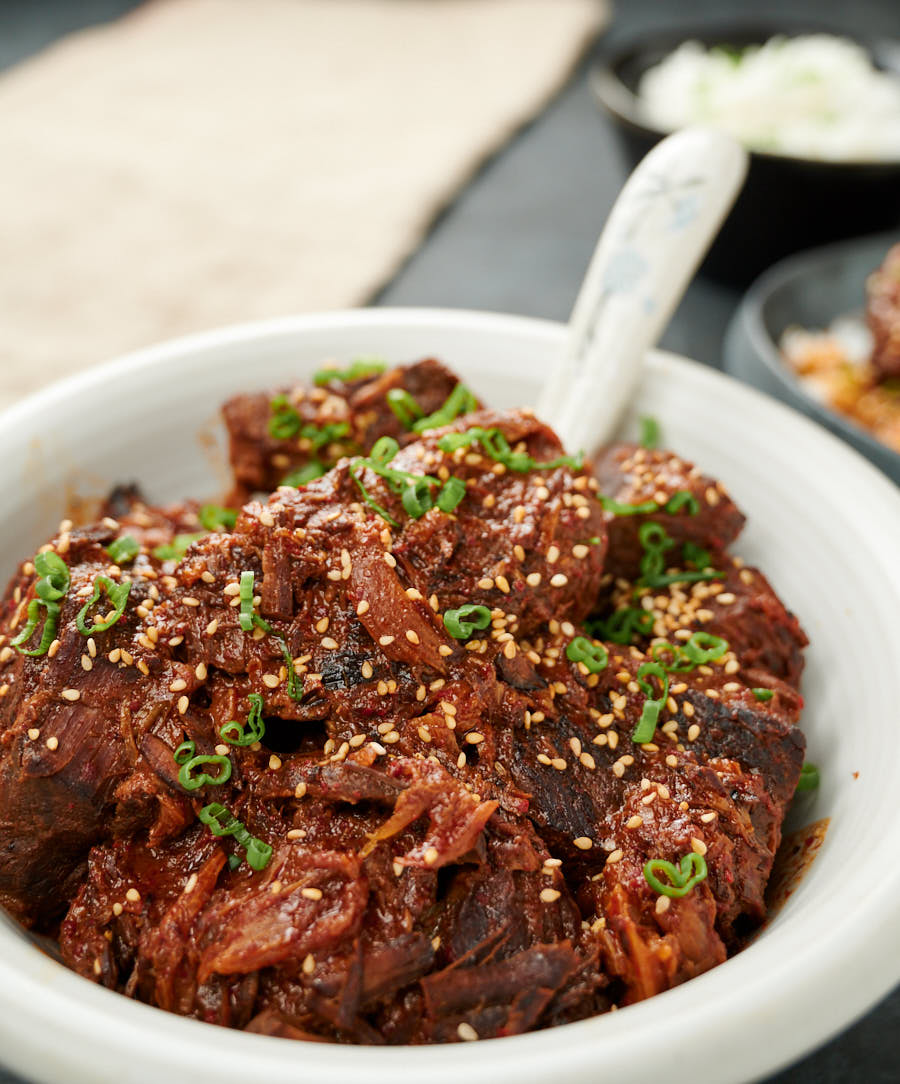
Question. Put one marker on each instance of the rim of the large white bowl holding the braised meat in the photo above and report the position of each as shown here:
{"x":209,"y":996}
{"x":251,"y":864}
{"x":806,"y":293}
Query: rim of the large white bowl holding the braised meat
{"x":62,"y":1004}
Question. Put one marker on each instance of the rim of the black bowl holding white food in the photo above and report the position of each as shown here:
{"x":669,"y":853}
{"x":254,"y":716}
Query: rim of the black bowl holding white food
{"x":623,"y":105}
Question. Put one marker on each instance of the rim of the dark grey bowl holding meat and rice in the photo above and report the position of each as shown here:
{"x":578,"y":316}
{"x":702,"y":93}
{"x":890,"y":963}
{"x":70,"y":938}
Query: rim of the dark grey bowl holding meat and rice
{"x":750,"y":315}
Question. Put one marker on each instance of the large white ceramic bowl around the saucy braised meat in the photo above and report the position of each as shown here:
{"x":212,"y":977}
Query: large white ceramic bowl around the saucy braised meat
{"x":825,"y":526}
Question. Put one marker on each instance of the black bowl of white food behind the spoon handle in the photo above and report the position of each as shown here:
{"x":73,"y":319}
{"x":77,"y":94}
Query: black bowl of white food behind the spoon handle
{"x":788,"y":203}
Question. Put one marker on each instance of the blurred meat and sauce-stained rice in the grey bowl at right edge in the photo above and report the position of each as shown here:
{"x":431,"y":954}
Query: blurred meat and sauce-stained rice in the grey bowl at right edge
{"x":854,"y":368}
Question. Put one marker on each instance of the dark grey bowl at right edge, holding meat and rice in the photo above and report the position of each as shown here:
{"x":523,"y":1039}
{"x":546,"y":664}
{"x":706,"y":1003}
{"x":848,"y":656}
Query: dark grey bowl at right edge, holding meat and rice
{"x":808,"y":291}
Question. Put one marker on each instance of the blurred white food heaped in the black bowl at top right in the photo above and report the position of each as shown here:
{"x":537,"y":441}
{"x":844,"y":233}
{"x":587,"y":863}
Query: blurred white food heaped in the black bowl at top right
{"x":816,"y":97}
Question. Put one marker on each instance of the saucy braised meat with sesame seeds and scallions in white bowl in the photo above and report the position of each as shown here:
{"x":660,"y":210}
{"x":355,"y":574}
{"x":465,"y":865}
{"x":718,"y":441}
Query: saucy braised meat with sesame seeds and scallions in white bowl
{"x":452,"y":737}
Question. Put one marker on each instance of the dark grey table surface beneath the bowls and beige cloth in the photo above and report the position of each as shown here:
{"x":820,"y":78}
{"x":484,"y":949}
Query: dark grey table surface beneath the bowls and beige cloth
{"x":519,"y":240}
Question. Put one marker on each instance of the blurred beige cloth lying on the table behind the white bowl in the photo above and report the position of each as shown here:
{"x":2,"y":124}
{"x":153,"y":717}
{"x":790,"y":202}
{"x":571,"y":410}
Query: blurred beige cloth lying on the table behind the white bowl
{"x":207,"y":162}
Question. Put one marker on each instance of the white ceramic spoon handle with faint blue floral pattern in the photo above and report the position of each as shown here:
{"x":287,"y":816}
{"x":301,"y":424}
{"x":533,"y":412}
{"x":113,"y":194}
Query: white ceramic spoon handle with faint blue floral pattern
{"x":657,"y":235}
